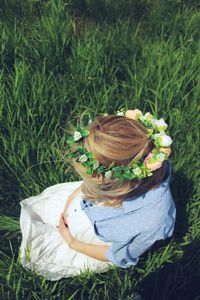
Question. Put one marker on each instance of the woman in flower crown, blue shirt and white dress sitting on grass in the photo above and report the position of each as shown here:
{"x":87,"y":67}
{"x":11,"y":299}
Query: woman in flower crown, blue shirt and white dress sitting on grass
{"x":111,"y":217}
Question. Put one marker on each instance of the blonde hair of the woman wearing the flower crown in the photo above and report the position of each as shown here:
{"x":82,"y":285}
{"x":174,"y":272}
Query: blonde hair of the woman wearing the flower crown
{"x":122,"y":140}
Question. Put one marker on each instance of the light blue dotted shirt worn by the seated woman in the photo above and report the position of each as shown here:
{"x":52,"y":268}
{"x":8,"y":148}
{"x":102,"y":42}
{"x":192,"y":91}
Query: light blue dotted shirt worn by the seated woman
{"x":134,"y":227}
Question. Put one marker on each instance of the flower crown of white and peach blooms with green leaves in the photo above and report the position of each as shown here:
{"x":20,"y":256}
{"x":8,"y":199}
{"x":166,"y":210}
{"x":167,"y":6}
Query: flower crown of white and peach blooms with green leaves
{"x":139,"y":168}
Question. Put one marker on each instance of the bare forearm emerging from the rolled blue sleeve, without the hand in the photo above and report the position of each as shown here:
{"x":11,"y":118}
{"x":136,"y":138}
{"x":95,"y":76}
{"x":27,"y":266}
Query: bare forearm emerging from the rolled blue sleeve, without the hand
{"x":95,"y":251}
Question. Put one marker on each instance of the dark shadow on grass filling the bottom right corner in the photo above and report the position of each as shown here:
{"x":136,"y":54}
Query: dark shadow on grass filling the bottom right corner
{"x":177,"y":281}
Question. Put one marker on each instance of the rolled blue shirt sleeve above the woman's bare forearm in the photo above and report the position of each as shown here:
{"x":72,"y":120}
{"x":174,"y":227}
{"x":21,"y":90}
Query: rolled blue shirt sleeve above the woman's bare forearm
{"x":127,"y":254}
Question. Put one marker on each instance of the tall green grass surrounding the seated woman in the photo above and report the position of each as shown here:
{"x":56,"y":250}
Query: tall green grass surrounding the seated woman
{"x":58,"y":58}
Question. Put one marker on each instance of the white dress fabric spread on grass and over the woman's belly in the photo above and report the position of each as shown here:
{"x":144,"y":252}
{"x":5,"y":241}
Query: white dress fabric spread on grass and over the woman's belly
{"x":43,"y":249}
